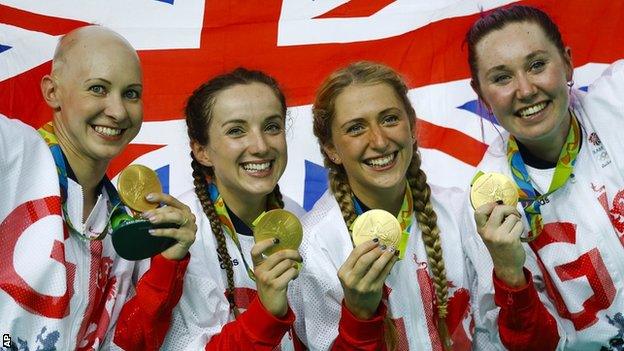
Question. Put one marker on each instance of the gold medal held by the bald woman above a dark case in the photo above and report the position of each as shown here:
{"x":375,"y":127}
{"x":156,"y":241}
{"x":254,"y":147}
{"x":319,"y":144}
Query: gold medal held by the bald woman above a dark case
{"x":134,"y":183}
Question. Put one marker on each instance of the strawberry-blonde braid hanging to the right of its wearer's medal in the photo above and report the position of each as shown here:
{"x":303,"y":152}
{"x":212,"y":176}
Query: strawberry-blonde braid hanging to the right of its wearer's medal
{"x":427,"y":221}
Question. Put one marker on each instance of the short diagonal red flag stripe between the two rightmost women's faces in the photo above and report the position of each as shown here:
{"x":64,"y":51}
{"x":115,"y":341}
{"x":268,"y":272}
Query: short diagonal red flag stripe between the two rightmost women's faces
{"x":450,"y":141}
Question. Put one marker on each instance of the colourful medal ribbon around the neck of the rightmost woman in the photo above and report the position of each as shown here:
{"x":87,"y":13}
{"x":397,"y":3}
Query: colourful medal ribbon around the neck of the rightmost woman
{"x":529,"y":197}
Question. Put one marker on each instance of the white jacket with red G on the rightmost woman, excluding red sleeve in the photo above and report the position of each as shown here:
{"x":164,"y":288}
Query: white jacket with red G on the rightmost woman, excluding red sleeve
{"x":582,"y":246}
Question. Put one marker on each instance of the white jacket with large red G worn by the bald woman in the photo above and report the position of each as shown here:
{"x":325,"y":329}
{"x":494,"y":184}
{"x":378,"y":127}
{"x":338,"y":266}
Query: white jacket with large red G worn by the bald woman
{"x":56,"y":290}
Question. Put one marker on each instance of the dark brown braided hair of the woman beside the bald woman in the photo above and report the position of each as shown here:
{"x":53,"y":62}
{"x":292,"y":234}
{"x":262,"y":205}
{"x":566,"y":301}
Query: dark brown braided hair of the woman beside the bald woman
{"x":198,"y":112}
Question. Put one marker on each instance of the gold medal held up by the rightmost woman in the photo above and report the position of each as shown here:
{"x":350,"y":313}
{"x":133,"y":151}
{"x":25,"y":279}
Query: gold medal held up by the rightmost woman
{"x":492,"y":187}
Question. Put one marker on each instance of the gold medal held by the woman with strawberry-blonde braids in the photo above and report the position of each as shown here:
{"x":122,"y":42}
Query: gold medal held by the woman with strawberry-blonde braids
{"x":377,"y":224}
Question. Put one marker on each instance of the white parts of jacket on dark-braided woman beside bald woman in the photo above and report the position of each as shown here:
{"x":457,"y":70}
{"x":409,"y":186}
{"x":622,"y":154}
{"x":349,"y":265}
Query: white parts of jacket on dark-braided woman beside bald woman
{"x":203,"y":308}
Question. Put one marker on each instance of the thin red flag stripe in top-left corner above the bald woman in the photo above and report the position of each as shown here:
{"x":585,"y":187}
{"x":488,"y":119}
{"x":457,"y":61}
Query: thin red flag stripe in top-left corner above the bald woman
{"x":36,"y":22}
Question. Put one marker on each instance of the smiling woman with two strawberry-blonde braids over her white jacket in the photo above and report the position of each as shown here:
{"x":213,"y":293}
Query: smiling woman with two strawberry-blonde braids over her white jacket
{"x":364,"y":298}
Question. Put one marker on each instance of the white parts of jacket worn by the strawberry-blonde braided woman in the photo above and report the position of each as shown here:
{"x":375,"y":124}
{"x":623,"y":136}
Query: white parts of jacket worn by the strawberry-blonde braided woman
{"x":316,"y":294}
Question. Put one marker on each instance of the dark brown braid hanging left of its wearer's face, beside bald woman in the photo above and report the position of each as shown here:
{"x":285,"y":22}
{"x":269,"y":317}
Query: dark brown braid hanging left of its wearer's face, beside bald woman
{"x":201,"y":189}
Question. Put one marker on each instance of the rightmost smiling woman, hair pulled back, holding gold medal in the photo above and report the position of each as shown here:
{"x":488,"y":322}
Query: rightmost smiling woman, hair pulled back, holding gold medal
{"x":564,"y":287}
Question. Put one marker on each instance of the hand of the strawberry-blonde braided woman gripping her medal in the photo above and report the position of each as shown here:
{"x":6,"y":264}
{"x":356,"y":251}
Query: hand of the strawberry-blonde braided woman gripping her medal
{"x":363,"y":275}
